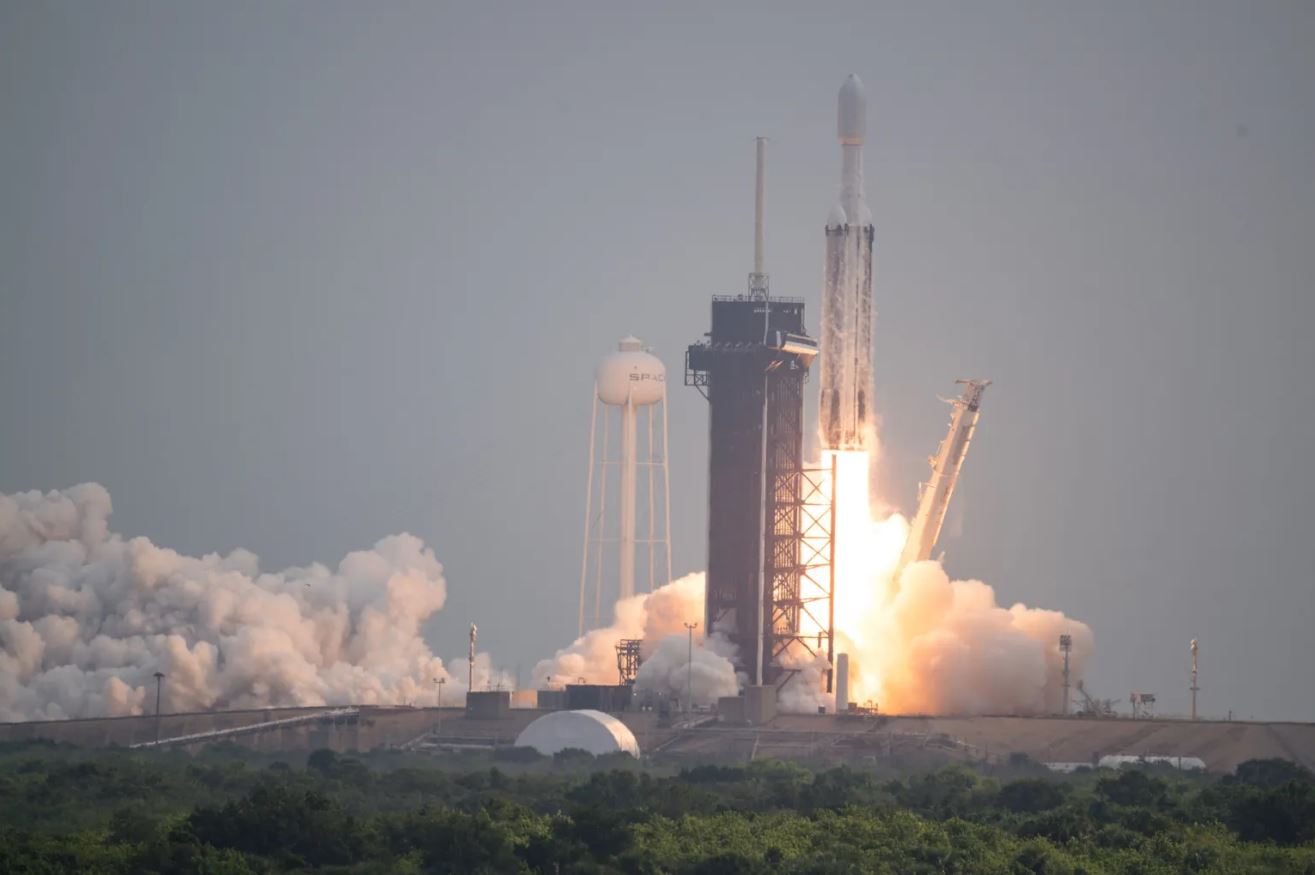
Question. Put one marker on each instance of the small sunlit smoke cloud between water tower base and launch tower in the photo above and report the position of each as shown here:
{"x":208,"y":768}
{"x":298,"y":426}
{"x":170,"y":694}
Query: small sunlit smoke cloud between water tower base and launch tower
{"x":659,"y":620}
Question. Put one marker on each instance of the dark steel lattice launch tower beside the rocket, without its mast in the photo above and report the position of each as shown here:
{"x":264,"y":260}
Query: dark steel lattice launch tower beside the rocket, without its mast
{"x":763,"y":507}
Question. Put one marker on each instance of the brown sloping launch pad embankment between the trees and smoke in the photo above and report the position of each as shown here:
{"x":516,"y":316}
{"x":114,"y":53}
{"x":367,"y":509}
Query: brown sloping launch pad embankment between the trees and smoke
{"x":812,"y":739}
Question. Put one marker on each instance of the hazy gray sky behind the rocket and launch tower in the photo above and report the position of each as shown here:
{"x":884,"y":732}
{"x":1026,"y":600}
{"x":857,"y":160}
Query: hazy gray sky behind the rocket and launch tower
{"x":294,"y":277}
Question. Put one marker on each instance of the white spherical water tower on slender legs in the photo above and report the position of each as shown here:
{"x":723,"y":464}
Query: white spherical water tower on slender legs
{"x":624,"y":470}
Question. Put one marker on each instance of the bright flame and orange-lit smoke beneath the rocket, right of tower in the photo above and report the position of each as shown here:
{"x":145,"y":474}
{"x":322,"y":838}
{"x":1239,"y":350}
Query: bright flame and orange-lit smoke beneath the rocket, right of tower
{"x":921,"y":643}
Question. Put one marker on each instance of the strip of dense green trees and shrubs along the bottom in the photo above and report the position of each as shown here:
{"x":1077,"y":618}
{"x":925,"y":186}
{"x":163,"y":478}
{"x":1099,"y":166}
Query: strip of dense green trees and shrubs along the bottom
{"x":232,"y":811}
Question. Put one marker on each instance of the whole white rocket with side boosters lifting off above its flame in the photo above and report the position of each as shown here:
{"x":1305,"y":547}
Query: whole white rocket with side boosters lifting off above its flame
{"x":846,"y":344}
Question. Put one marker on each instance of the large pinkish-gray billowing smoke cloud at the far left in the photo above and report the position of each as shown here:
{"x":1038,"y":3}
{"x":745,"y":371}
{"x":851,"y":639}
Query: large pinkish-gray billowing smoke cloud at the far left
{"x":87,"y":618}
